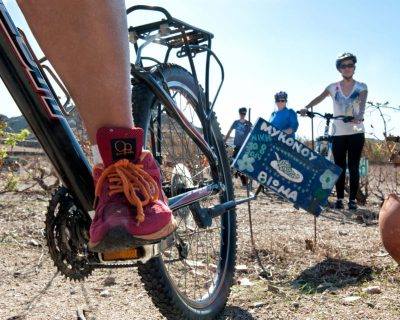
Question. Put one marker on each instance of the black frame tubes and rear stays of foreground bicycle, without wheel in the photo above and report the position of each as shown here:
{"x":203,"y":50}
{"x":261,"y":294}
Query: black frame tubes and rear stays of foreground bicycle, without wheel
{"x":37,"y":101}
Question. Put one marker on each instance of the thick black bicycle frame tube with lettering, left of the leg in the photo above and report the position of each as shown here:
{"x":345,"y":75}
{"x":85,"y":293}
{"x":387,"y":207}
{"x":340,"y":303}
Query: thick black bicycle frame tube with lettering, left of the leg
{"x":36,"y":100}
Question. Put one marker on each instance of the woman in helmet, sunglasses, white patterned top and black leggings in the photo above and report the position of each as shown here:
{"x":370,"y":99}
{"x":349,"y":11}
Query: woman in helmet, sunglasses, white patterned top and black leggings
{"x":349,"y":98}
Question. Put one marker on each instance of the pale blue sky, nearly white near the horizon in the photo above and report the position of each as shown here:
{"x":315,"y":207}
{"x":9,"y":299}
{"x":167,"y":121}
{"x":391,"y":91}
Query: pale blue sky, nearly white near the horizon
{"x":291,"y":45}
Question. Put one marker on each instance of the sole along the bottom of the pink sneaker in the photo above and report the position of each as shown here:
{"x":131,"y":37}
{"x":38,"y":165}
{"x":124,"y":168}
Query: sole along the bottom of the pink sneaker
{"x":119,"y":238}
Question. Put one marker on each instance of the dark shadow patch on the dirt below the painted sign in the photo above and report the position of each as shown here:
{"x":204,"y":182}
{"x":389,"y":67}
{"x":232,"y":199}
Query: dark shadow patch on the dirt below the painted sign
{"x":332,"y":274}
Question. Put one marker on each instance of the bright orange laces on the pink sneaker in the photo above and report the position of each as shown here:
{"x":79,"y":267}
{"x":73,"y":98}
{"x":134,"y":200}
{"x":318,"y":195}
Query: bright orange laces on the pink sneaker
{"x":130,"y":179}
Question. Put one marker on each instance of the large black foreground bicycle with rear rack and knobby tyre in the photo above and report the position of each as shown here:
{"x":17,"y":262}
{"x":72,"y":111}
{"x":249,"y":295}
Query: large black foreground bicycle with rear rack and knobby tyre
{"x":189,"y":274}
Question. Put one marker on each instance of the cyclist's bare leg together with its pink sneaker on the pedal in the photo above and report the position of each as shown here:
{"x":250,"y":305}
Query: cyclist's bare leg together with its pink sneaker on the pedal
{"x":87,"y":43}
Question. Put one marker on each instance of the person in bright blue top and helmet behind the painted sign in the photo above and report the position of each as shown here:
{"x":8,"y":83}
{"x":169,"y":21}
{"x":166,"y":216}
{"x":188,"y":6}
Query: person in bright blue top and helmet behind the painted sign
{"x":283,"y":118}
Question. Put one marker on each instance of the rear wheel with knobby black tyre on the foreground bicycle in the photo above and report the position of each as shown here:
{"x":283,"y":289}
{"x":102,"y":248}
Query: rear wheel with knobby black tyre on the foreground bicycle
{"x":191,"y":280}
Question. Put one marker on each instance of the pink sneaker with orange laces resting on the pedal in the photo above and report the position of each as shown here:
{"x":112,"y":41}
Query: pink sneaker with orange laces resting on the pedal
{"x":131,"y":208}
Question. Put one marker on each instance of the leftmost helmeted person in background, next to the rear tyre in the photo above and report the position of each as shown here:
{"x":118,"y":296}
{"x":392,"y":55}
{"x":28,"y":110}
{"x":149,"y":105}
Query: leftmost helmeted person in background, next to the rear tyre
{"x":242,"y":128}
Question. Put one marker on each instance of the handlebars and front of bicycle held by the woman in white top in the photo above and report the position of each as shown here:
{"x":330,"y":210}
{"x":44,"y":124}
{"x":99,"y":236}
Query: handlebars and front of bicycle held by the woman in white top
{"x":323,"y":144}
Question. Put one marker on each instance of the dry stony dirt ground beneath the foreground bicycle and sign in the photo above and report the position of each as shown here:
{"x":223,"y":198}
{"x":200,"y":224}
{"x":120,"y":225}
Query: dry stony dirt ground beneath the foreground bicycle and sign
{"x":347,"y":275}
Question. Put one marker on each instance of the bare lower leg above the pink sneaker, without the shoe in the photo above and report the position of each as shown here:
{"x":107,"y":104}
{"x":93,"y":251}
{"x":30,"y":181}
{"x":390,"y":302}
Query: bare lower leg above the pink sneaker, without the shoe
{"x":87,"y":43}
